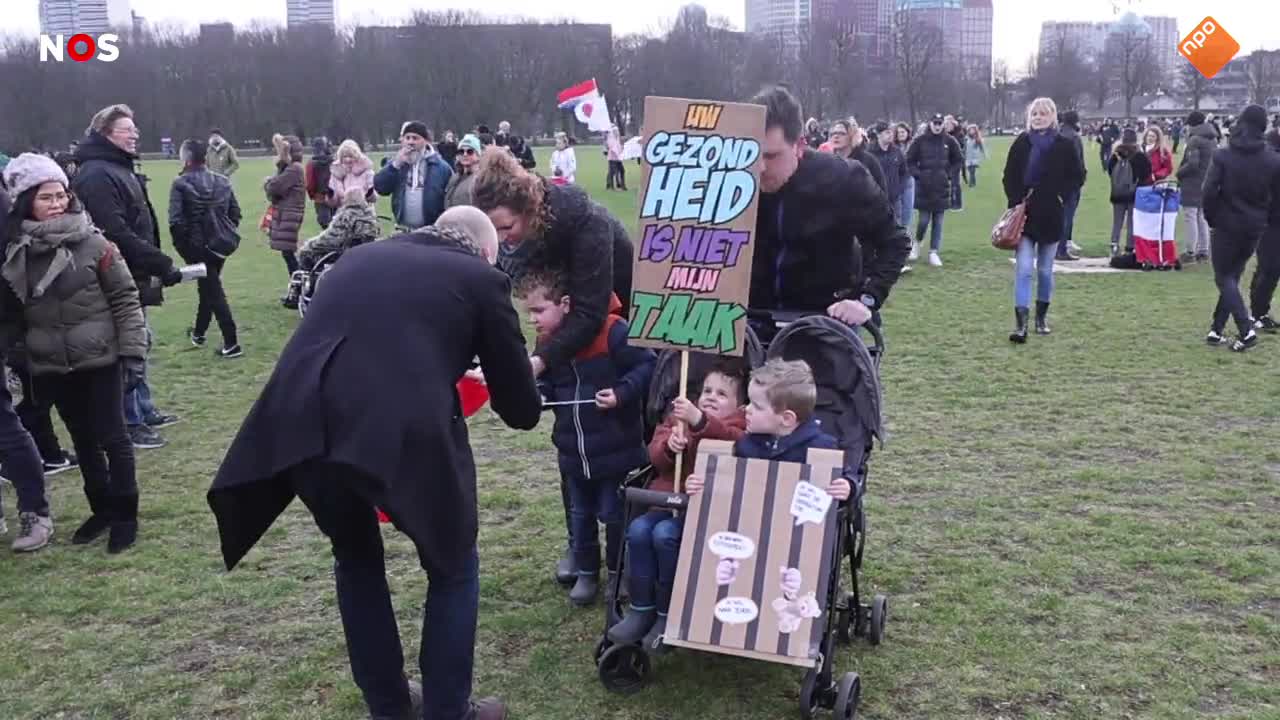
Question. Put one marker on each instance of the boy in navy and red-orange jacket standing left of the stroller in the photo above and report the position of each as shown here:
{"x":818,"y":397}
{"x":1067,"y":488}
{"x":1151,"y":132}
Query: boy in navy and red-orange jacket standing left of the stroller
{"x":598,"y":431}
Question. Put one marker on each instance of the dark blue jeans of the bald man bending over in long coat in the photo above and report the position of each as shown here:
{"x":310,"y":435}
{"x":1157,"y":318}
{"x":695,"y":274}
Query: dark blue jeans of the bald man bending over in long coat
{"x":447,"y":653}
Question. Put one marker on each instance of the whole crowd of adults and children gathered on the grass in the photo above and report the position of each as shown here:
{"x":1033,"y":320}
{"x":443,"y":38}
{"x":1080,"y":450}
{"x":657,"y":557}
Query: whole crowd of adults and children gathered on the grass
{"x":84,"y":265}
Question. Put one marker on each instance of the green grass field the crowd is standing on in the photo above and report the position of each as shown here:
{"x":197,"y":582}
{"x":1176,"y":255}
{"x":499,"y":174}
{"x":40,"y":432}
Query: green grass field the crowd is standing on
{"x":1087,"y":527}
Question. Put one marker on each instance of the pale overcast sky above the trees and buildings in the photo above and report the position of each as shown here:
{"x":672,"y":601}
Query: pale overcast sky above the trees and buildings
{"x":1251,"y":22}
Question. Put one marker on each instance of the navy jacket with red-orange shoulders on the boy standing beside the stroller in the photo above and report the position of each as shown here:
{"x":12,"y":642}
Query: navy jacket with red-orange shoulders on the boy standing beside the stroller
{"x":597,"y":444}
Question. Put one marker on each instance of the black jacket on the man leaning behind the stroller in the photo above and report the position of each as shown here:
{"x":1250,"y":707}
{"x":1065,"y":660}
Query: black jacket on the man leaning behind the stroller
{"x":828,"y":235}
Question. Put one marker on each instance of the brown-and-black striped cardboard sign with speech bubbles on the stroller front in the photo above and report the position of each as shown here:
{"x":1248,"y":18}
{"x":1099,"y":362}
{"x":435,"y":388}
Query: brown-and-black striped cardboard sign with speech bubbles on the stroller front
{"x":756,"y":558}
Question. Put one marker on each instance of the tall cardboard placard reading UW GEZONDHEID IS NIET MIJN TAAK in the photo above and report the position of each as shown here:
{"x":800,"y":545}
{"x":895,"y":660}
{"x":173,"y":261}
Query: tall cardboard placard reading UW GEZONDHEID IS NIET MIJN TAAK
{"x":700,"y":194}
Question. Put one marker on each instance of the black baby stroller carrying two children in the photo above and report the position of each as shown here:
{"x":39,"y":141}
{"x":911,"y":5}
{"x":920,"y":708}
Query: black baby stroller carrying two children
{"x":848,"y":377}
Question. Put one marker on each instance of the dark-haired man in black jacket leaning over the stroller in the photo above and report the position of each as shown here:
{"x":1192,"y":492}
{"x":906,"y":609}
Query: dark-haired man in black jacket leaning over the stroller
{"x":825,"y":235}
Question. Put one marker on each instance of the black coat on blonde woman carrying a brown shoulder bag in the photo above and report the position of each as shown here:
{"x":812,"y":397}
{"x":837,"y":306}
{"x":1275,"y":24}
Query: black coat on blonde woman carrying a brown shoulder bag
{"x":1063,"y":174}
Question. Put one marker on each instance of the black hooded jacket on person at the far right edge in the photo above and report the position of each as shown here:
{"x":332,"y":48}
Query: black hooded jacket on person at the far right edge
{"x":1244,"y":185}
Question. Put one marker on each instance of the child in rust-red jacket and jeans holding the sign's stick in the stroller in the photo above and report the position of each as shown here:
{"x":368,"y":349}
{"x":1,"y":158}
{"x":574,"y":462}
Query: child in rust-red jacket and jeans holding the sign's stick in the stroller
{"x":653,"y":539}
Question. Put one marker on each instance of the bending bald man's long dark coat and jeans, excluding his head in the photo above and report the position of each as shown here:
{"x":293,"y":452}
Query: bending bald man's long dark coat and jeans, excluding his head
{"x":363,"y":412}
